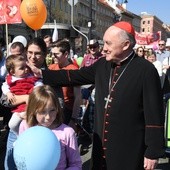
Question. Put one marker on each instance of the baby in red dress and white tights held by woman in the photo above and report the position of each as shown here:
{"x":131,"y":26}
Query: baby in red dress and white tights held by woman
{"x":18,"y":81}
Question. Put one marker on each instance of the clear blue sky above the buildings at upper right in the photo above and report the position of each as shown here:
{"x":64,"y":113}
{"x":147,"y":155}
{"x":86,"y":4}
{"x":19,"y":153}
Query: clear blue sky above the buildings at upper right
{"x":159,"y":8}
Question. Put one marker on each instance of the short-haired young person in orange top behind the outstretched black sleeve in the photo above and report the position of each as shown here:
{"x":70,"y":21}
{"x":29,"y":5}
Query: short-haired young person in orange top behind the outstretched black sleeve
{"x":72,"y":95}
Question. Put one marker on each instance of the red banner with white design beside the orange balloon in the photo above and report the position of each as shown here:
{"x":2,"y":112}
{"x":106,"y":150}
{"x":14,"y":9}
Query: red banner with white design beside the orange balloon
{"x":9,"y":11}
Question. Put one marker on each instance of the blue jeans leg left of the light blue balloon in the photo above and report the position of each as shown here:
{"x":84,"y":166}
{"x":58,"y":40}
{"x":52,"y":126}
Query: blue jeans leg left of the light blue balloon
{"x":9,"y":163}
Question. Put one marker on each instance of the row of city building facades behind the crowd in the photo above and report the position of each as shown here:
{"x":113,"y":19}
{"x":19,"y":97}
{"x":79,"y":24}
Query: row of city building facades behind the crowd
{"x":90,"y":17}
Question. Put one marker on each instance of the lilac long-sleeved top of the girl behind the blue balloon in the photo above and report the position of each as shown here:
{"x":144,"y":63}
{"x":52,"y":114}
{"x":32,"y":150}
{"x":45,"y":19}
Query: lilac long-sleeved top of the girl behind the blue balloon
{"x":69,"y":149}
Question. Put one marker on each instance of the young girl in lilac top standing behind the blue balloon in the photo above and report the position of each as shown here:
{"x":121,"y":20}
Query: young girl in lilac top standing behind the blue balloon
{"x":44,"y":110}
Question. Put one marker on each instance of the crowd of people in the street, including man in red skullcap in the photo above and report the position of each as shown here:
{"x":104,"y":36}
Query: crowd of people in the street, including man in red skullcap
{"x":115,"y":91}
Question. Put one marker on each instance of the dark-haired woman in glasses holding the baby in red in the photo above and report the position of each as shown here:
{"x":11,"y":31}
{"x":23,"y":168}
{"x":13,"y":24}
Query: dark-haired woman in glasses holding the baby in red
{"x":36,"y":52}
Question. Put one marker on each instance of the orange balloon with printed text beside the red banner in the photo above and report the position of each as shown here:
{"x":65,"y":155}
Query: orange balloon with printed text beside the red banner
{"x":34,"y":13}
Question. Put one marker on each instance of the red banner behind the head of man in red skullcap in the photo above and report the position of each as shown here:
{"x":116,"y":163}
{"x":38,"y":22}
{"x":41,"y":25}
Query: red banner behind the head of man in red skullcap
{"x":147,"y":39}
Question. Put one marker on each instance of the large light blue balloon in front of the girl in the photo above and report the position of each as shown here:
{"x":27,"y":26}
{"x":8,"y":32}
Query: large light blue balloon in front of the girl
{"x":37,"y":149}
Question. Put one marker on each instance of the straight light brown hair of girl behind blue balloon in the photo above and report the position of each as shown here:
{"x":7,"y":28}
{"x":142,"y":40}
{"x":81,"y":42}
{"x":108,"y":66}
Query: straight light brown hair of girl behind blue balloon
{"x":37,"y":102}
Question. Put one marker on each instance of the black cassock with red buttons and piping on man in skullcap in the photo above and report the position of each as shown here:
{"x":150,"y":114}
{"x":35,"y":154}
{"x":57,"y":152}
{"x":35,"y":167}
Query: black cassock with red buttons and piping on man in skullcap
{"x":131,"y":126}
